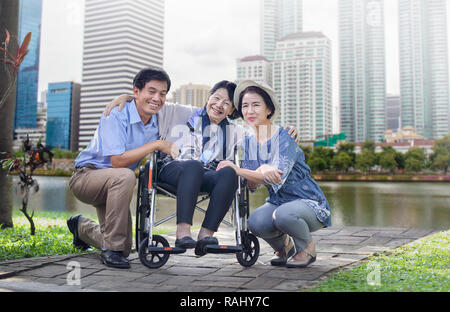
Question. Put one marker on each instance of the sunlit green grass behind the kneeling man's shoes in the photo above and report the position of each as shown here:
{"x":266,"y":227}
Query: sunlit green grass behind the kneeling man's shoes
{"x":52,"y":236}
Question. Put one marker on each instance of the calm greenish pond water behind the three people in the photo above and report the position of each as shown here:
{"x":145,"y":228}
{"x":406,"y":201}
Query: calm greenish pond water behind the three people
{"x":419,"y":205}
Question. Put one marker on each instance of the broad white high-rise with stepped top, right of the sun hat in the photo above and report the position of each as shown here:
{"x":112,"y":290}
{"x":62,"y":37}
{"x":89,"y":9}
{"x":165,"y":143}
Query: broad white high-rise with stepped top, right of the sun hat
{"x":303,"y":83}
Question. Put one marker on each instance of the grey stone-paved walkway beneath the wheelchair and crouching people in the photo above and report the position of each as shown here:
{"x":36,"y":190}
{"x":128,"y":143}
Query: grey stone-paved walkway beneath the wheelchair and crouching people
{"x":336,"y":247}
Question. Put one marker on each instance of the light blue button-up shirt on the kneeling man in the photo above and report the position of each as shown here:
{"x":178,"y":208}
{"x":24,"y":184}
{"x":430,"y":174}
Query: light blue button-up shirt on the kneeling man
{"x":117,"y":133}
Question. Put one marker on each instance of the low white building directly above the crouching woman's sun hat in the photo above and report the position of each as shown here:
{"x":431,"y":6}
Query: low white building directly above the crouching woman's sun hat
{"x":256,"y":68}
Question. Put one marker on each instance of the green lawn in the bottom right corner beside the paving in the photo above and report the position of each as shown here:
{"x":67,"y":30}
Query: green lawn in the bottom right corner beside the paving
{"x":421,"y":266}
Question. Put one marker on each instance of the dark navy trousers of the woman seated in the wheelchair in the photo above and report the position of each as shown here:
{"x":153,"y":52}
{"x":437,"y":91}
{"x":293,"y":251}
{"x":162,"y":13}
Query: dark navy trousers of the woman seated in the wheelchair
{"x":190,"y":178}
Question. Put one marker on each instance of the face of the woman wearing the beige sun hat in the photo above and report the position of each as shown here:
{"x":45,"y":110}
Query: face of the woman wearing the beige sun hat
{"x":254,"y":110}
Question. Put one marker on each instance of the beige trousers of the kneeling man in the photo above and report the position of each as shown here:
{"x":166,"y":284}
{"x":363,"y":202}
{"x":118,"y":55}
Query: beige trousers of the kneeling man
{"x":110,"y":191}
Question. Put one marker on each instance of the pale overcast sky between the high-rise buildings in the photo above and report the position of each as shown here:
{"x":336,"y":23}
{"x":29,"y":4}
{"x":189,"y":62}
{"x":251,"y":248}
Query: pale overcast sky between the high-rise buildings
{"x":203,"y":39}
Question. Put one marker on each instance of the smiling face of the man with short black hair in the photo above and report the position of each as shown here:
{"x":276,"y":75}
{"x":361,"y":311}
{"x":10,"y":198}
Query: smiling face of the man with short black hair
{"x":150,"y":99}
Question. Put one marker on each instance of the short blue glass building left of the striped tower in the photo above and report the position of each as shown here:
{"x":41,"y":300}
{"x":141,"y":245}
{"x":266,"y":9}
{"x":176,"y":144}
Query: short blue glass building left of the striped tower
{"x":63,"y":110}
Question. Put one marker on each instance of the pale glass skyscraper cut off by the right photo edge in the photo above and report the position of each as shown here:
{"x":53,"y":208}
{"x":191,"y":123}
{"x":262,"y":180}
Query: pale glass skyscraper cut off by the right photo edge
{"x":424,"y":73}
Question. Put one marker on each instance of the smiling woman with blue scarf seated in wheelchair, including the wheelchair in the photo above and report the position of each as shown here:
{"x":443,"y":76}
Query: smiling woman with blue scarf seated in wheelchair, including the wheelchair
{"x":207,"y":138}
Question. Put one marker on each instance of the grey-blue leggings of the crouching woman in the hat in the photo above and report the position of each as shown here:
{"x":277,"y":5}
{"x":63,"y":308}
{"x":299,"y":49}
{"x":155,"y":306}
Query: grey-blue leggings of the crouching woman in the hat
{"x":295,"y":218}
